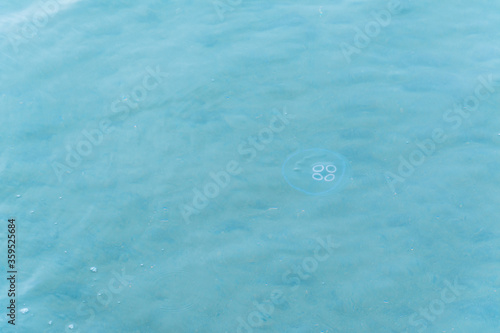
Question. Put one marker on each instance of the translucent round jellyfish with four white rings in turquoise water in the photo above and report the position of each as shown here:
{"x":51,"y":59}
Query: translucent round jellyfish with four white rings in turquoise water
{"x":316,"y":171}
